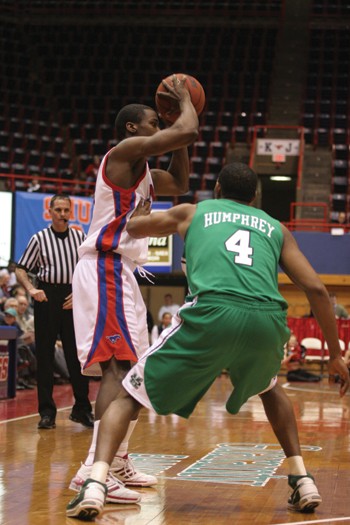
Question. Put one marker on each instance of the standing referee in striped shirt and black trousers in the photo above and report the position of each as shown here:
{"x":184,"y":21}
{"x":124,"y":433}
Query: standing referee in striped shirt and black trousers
{"x":51,"y":255}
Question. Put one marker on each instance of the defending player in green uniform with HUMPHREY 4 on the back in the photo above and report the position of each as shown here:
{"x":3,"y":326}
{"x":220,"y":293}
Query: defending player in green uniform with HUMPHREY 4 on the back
{"x":233,"y":318}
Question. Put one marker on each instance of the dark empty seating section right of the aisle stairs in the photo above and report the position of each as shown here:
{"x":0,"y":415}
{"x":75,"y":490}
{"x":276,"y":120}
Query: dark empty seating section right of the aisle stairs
{"x":326,"y":107}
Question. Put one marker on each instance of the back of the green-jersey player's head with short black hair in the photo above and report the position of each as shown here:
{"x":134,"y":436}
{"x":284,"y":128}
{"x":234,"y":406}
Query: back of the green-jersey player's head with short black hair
{"x":238,"y":182}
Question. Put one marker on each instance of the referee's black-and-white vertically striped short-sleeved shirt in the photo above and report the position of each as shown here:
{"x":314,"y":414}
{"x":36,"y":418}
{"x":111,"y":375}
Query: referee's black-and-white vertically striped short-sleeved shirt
{"x":52,"y":256}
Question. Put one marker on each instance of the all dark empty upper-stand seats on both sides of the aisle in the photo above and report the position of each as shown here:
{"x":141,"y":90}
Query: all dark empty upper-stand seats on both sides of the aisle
{"x":61,"y":85}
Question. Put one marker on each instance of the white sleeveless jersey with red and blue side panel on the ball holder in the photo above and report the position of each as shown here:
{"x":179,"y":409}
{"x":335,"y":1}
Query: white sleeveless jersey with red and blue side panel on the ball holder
{"x":112,"y":210}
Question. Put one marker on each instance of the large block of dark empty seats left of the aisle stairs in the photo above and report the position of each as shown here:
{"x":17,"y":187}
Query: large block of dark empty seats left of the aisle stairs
{"x":78,"y":82}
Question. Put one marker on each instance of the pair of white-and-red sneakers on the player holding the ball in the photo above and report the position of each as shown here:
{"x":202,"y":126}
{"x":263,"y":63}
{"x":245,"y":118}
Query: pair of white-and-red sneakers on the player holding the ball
{"x":117,"y":493}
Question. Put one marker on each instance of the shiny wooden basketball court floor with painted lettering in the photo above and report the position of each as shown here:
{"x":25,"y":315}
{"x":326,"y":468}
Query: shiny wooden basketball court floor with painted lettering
{"x":214,"y":469}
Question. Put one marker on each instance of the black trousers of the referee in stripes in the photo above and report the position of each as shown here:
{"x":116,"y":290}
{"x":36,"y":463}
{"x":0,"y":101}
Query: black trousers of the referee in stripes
{"x":51,"y":322}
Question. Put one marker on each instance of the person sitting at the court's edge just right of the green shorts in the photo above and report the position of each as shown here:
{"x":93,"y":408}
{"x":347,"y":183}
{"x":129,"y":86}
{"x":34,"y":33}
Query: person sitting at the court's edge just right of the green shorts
{"x":293,"y":361}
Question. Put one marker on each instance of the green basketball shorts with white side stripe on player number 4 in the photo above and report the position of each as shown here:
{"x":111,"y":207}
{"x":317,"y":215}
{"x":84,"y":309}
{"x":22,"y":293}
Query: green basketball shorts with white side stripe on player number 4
{"x":207,"y":336}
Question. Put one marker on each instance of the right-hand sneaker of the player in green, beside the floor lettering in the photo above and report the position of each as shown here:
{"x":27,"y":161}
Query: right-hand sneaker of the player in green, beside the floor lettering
{"x":304,"y":496}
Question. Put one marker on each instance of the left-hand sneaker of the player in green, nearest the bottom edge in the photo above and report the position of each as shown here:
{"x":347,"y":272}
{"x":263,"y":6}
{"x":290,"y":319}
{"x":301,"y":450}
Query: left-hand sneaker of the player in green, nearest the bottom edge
{"x":89,"y":503}
